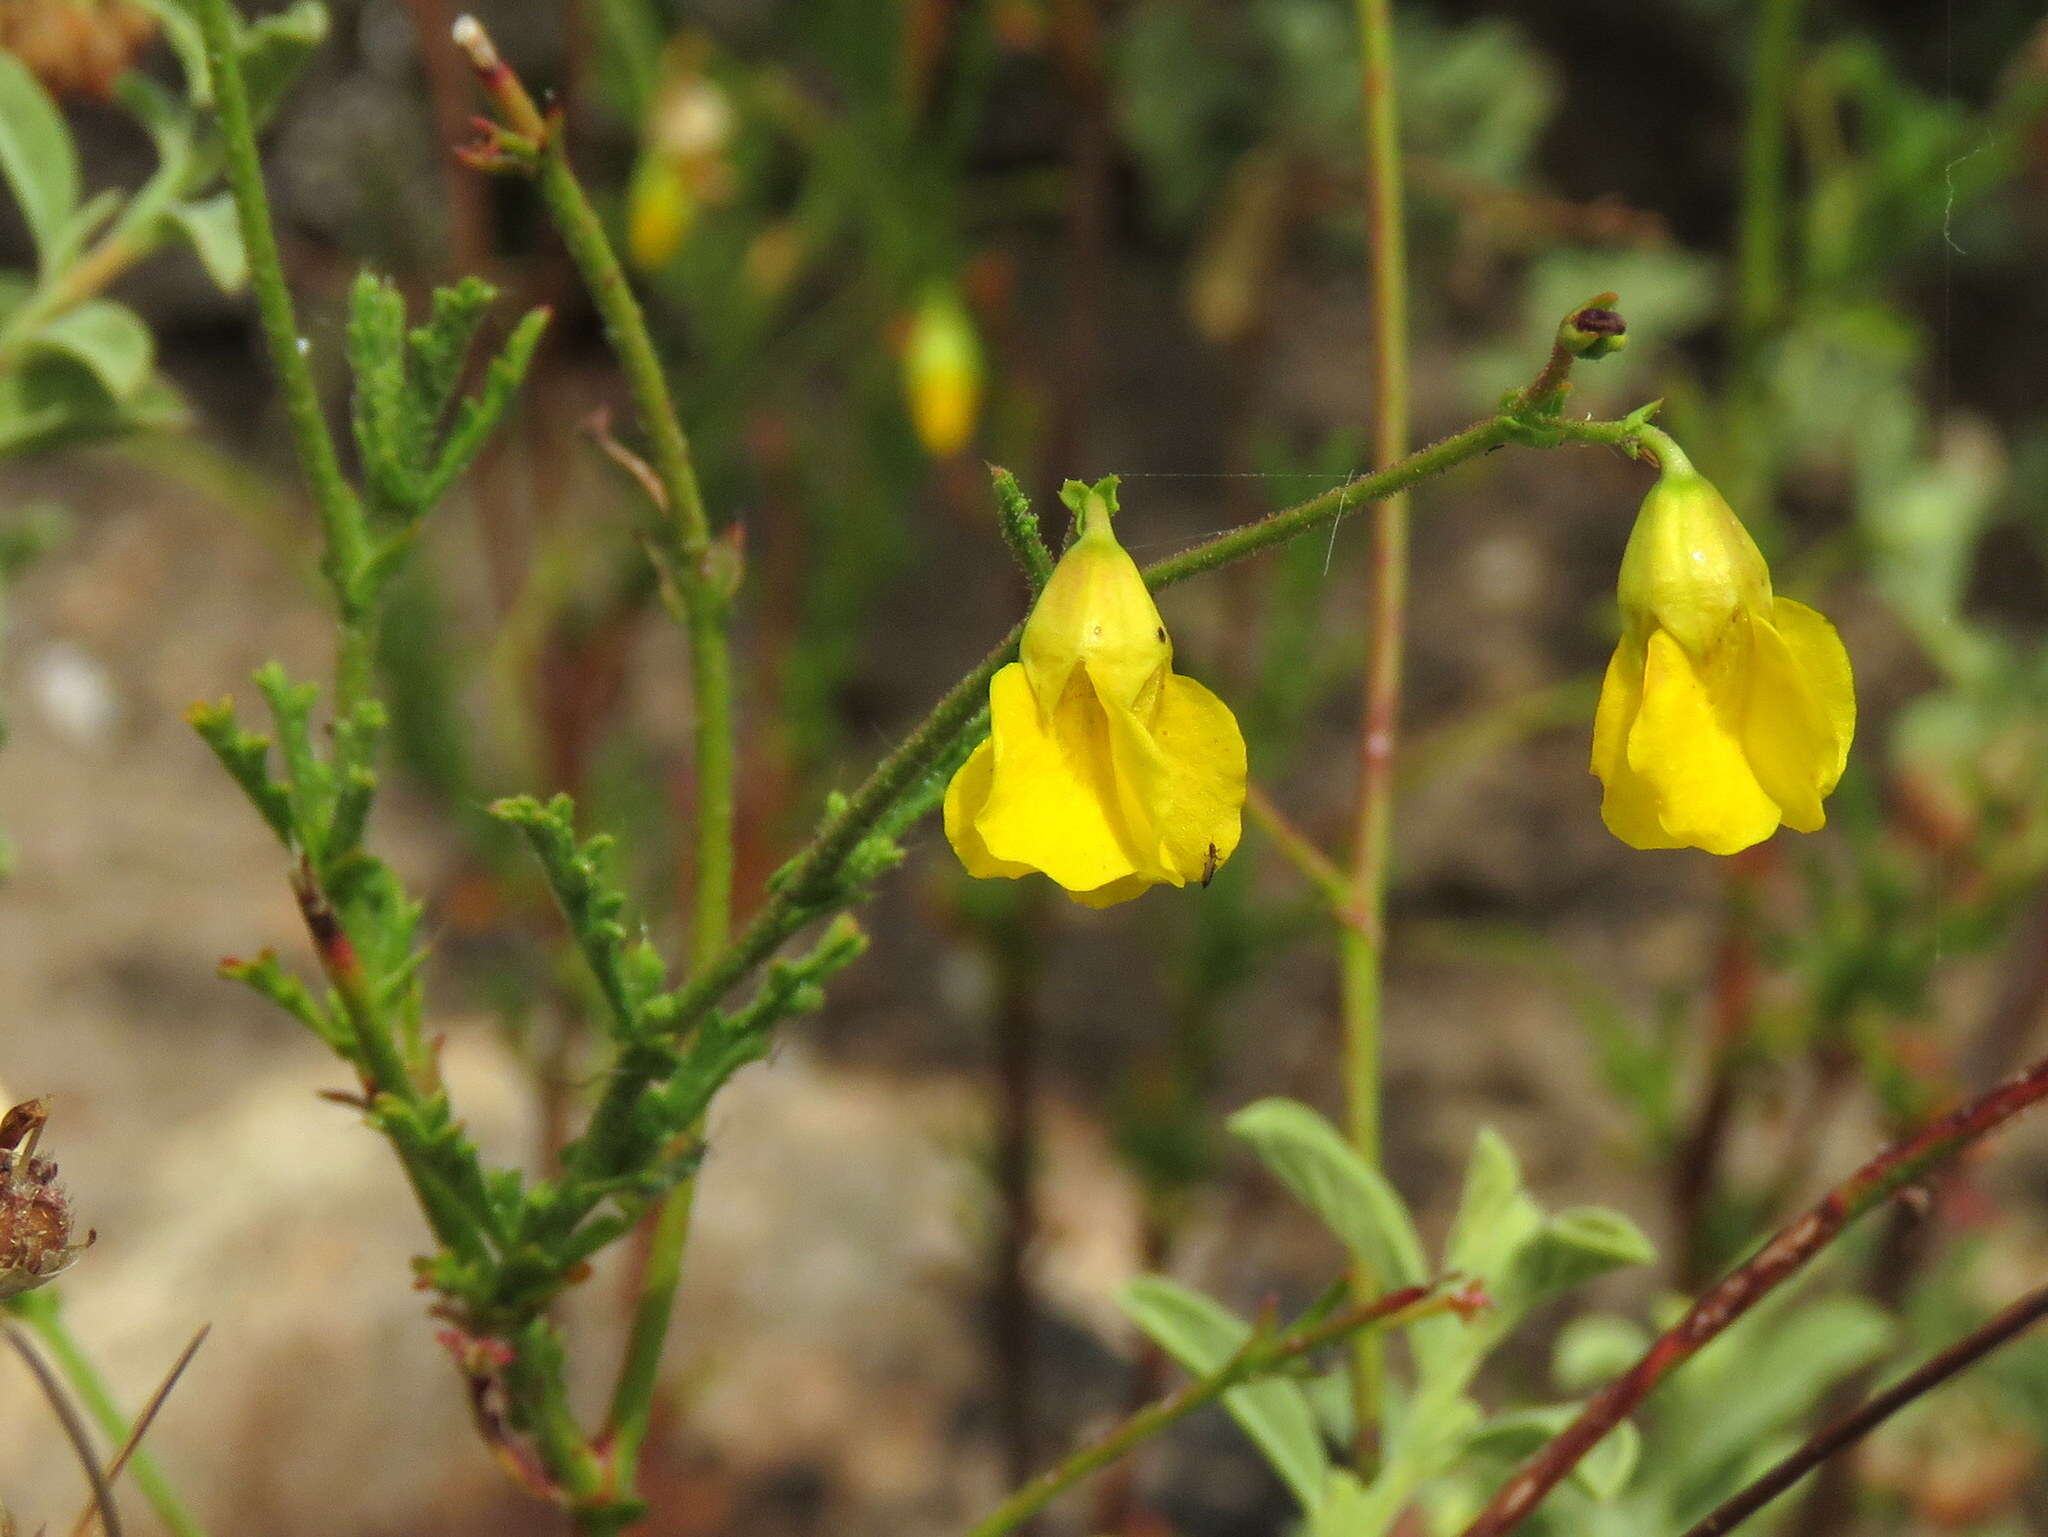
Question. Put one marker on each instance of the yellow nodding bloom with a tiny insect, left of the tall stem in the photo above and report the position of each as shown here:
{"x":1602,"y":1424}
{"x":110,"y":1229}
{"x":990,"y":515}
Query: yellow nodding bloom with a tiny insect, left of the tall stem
{"x":1105,"y":770}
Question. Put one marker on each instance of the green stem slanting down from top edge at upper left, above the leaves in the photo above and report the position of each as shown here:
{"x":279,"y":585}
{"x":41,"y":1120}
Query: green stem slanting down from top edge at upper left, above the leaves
{"x":341,"y":515}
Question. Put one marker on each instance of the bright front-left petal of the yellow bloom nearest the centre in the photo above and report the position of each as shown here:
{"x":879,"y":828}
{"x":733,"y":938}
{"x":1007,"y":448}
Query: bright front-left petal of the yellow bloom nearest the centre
{"x":1054,"y":790}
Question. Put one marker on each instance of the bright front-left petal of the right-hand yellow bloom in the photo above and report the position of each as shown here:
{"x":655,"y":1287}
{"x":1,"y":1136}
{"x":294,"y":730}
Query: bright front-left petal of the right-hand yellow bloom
{"x":1687,"y":747}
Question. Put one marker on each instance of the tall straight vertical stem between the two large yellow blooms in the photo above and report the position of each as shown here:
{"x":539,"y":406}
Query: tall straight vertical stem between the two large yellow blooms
{"x":1361,"y":952}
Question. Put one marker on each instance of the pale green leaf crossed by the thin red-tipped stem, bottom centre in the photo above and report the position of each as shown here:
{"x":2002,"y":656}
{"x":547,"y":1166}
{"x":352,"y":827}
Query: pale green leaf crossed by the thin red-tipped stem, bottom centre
{"x":1203,"y":1337}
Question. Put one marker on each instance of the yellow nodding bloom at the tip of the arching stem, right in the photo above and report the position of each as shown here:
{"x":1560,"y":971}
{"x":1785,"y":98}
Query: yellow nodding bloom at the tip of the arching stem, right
{"x":1725,"y":710}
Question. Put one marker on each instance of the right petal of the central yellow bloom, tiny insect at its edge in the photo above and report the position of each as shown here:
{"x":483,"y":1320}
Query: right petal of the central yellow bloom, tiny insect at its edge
{"x":1183,"y":778}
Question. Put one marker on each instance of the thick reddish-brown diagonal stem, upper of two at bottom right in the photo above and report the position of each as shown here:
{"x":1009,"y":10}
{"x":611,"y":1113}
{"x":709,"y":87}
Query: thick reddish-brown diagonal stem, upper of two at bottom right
{"x":1748,"y":1284}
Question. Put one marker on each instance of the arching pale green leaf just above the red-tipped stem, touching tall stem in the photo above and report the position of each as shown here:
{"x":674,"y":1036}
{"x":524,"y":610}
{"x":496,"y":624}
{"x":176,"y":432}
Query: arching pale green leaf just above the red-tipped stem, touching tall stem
{"x":1328,"y":1175}
